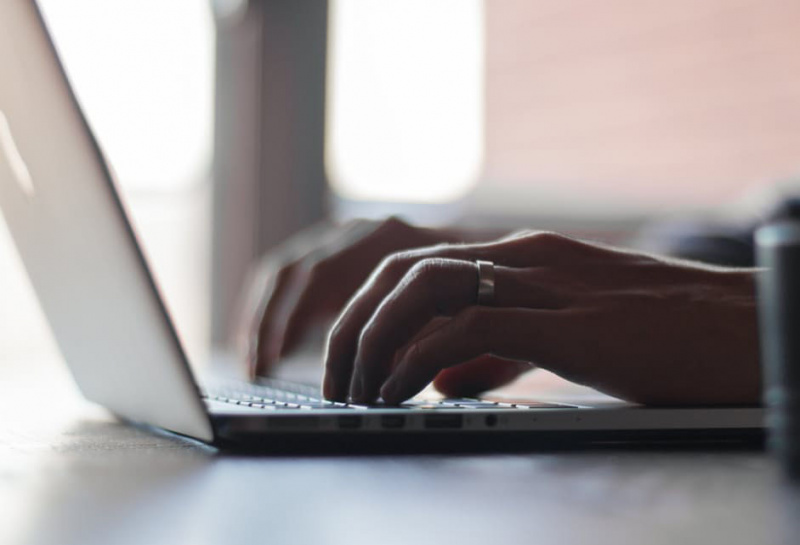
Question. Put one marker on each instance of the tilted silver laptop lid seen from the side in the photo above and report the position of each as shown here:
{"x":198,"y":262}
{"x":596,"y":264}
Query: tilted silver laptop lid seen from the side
{"x":81,"y":255}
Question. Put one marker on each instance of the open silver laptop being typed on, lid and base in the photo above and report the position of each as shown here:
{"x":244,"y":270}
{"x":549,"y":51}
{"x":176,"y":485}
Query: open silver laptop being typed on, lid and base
{"x":88,"y":270}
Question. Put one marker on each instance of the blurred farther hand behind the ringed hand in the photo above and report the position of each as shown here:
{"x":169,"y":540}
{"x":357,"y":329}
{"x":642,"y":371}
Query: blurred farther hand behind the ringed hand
{"x":310,"y":278}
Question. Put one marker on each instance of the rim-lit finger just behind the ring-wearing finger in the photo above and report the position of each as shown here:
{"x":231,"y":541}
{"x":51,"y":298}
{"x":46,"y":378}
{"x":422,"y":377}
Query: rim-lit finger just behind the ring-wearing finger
{"x":525,"y":250}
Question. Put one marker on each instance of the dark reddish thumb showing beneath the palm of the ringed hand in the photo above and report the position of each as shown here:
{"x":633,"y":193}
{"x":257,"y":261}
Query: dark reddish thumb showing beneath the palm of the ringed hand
{"x":479,"y":375}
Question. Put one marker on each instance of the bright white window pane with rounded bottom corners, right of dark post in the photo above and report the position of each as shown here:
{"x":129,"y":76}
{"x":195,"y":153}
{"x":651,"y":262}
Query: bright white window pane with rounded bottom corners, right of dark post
{"x":405,"y":99}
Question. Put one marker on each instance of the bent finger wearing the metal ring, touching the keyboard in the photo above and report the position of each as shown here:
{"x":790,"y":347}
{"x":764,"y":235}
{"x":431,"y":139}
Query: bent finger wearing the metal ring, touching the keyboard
{"x":433,"y":287}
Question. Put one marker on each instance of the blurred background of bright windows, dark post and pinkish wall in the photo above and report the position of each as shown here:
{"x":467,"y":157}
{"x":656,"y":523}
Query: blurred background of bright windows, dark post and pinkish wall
{"x":233,"y":124}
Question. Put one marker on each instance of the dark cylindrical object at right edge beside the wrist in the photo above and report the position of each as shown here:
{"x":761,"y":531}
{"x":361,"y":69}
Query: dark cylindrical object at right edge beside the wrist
{"x":778,"y":252}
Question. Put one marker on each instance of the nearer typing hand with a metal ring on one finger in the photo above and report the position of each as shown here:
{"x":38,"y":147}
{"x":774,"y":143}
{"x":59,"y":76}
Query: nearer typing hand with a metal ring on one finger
{"x":635,"y":326}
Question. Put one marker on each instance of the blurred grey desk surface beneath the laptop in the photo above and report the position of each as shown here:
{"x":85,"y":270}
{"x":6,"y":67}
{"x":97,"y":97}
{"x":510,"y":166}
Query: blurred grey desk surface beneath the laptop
{"x":70,"y":474}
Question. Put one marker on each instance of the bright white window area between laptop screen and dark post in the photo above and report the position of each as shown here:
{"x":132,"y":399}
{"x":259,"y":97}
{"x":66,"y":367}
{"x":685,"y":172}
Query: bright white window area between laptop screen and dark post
{"x":143,"y":70}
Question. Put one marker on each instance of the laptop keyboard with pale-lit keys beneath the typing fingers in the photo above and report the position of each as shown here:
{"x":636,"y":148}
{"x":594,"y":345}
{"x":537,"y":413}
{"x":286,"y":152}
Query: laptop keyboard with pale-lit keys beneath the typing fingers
{"x":273,"y":395}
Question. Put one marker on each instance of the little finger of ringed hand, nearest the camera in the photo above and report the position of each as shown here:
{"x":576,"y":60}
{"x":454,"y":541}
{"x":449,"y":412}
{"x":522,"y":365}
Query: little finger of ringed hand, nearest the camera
{"x":518,"y":334}
